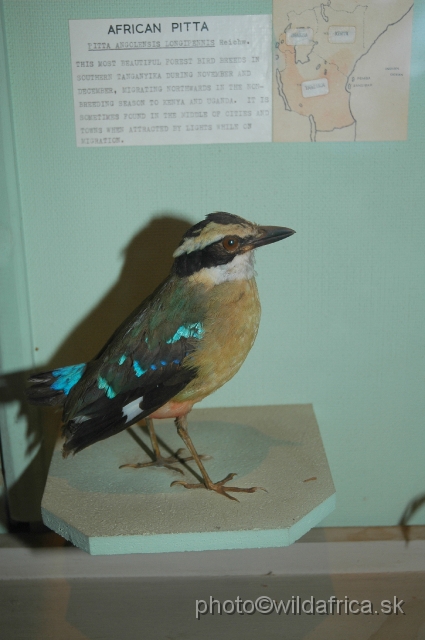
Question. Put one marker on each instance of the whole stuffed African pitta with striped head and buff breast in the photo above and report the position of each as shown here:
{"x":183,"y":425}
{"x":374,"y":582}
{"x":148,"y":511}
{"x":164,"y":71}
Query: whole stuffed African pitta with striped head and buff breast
{"x":184,"y":341}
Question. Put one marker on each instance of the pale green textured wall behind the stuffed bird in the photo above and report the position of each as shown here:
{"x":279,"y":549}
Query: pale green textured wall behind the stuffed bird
{"x":343,"y":300}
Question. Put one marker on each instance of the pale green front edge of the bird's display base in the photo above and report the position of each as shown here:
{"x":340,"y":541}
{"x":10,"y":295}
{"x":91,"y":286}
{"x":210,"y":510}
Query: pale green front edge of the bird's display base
{"x":209,"y":541}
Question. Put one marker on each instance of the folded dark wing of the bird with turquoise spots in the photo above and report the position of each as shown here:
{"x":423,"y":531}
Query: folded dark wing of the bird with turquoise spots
{"x":146,"y":360}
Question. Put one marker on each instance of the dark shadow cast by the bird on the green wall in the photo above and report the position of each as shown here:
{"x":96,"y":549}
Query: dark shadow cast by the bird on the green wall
{"x":147,"y":262}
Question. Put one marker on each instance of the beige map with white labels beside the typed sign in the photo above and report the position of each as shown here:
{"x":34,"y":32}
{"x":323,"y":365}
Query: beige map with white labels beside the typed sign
{"x":341,"y":70}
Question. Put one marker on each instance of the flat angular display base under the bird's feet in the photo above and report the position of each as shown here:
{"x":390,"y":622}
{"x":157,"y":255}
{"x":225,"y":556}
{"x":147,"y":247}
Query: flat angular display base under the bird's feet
{"x":106,"y":510}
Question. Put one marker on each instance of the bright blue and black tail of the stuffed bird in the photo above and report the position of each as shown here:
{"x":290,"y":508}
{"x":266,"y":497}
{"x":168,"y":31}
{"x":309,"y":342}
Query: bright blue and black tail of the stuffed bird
{"x":52,"y":387}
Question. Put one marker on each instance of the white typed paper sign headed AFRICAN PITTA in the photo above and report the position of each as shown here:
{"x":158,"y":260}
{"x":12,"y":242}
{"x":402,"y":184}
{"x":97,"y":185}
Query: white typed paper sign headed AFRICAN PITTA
{"x":153,"y":81}
